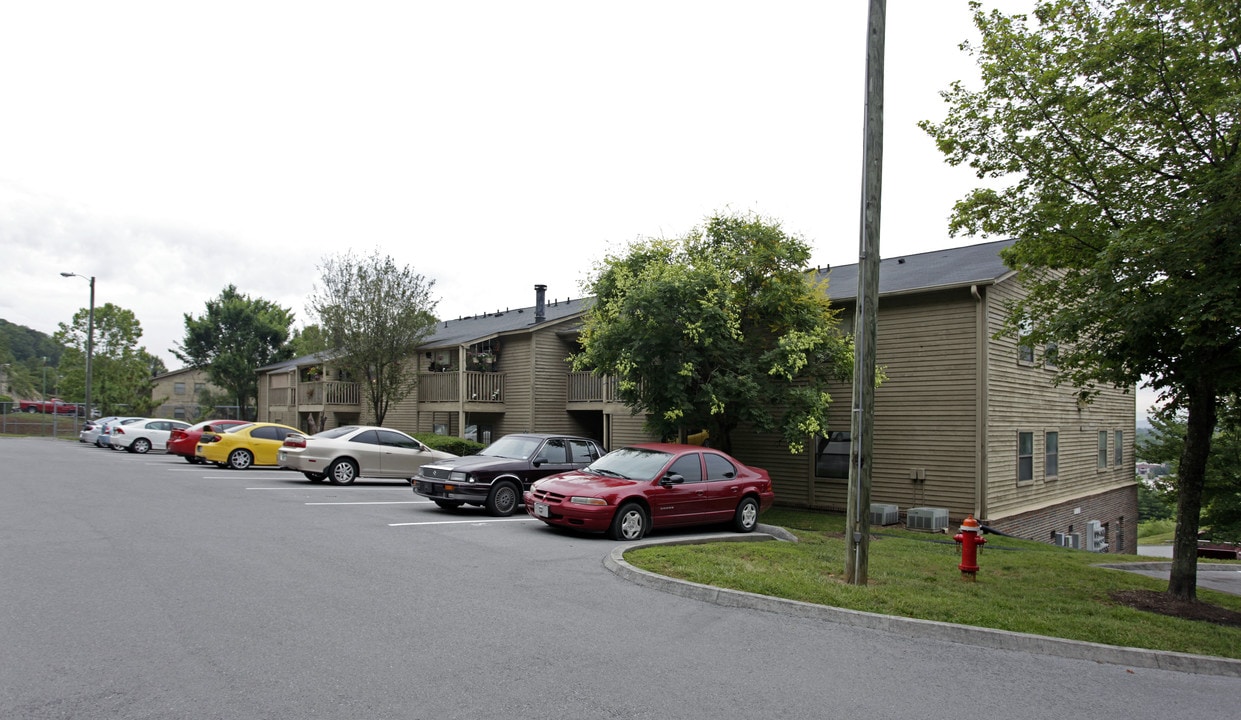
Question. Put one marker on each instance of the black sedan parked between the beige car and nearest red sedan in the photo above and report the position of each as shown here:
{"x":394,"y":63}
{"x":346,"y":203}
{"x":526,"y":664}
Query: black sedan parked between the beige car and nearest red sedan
{"x":498,"y":476}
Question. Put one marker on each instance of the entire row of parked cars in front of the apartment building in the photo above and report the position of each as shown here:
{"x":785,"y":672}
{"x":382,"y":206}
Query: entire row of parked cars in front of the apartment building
{"x":564,"y":481}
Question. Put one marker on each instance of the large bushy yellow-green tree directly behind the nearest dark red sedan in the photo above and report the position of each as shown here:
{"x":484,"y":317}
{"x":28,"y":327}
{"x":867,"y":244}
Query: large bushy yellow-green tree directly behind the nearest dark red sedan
{"x":715,"y":330}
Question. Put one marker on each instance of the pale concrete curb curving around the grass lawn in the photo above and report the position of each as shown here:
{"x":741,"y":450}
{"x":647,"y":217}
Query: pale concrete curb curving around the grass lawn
{"x":957,"y":634}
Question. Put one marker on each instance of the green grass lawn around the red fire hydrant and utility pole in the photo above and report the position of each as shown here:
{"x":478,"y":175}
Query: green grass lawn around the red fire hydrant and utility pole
{"x":1022,"y":587}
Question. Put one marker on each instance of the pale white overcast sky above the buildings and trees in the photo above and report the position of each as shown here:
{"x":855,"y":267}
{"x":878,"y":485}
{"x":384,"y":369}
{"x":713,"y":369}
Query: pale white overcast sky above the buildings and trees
{"x":171,"y":150}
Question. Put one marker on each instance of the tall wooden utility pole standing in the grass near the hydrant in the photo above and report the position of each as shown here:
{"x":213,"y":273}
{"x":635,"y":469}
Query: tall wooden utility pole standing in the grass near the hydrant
{"x":866,"y":325}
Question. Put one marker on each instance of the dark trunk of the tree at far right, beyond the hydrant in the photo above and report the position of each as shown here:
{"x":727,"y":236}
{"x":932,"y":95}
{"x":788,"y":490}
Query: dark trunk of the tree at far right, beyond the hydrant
{"x":1191,"y":479}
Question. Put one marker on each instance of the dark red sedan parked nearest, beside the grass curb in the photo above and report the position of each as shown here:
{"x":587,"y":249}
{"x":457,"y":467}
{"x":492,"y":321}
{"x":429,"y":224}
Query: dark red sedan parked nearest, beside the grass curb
{"x":629,"y":492}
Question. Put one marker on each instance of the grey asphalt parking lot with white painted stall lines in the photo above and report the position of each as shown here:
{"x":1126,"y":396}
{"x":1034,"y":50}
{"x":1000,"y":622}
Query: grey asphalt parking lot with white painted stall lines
{"x":140,"y":588}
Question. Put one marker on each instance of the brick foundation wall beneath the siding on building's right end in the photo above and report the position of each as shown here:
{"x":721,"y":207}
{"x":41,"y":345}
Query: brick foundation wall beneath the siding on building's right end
{"x":1116,"y":510}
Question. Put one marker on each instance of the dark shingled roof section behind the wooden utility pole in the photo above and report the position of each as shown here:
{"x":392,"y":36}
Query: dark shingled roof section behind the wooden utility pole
{"x":976,"y":265}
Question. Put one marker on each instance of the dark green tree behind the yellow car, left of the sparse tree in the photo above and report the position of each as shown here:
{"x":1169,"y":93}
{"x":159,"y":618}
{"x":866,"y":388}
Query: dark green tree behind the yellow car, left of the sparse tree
{"x":236,"y":336}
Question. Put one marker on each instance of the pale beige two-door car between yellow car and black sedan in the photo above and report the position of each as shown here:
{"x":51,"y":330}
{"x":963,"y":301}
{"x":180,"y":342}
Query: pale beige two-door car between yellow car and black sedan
{"x":343,"y":455}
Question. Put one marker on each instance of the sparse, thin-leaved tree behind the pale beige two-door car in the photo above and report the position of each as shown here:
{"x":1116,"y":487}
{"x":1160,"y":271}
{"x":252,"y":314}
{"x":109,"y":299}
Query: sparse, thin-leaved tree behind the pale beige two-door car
{"x":375,"y":316}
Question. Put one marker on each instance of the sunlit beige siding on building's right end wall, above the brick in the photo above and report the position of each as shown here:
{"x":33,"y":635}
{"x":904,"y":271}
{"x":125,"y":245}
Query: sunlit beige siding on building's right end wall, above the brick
{"x":1022,"y":398}
